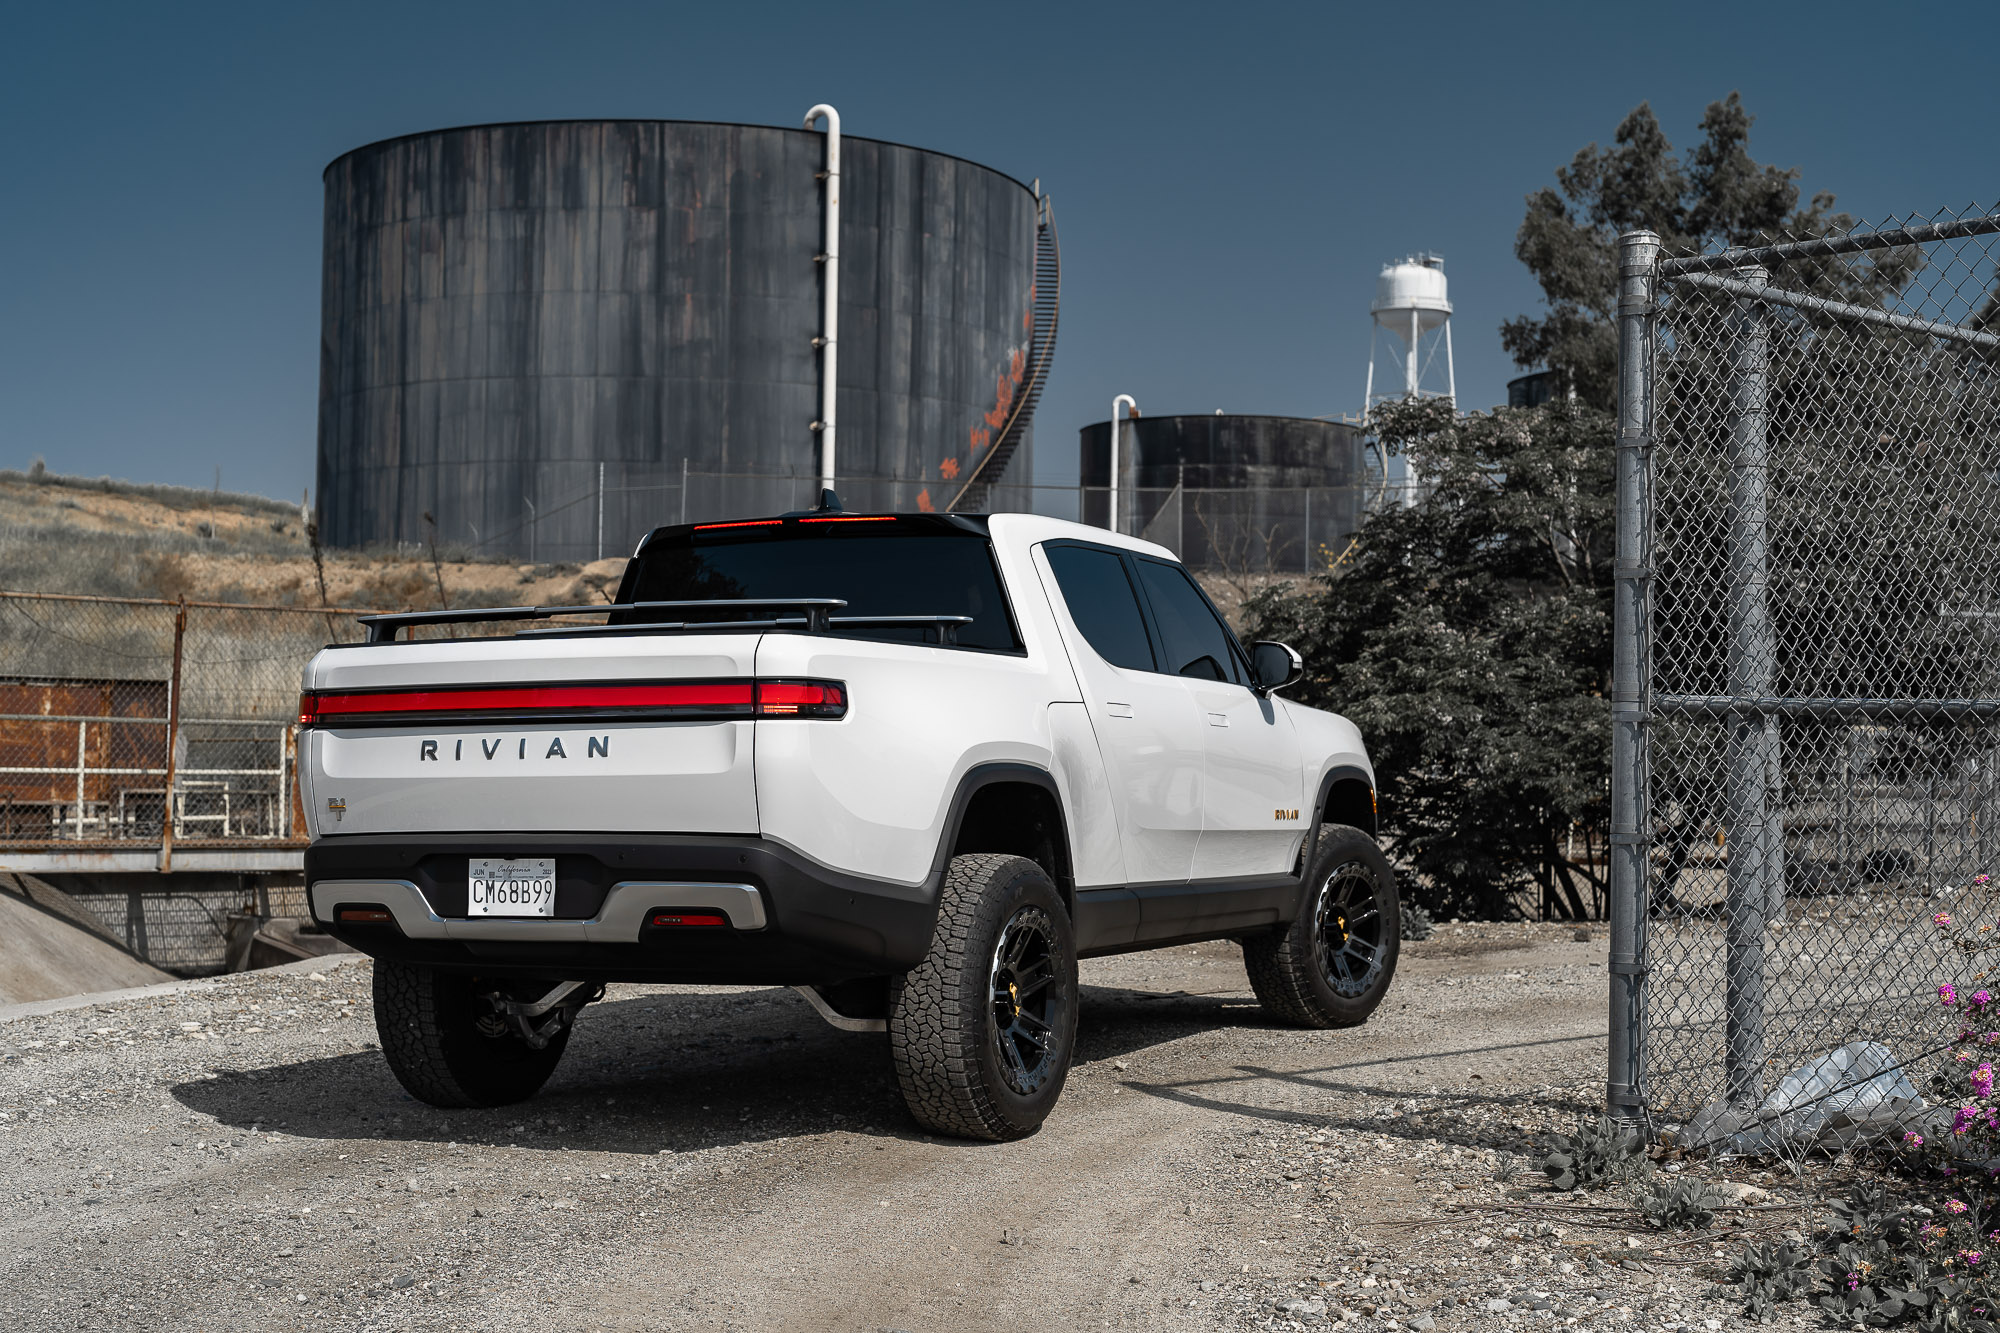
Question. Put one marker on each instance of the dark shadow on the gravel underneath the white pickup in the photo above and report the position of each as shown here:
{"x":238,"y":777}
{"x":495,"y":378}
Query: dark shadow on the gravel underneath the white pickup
{"x":669,"y":1072}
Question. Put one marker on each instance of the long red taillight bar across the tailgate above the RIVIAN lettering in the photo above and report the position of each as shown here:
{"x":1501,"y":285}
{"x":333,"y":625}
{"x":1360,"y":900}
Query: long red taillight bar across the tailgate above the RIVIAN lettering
{"x":691,"y":700}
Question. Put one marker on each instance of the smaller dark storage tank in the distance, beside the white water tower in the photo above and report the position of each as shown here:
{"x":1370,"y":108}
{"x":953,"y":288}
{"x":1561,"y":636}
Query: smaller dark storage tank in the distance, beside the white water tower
{"x":1249,"y":495}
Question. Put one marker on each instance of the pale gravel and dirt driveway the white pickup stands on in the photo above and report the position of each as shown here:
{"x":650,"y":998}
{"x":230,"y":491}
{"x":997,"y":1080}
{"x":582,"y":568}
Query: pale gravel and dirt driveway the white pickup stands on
{"x":237,"y":1156}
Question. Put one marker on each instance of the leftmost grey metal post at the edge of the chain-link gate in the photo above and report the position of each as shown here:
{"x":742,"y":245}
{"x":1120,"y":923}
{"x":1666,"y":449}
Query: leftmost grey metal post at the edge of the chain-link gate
{"x":1637,"y":255}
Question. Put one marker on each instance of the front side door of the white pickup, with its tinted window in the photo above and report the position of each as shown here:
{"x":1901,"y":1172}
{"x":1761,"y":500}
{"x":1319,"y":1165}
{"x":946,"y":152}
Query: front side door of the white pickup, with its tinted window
{"x":1253,"y":798}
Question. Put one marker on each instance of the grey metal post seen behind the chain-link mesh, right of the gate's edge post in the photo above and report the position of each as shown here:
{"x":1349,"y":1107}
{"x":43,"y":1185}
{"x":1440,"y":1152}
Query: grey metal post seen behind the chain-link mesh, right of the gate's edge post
{"x":1749,"y":670}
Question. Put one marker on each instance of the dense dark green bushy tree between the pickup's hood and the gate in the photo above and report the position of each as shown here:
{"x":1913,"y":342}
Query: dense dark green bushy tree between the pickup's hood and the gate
{"x":1469,"y":637}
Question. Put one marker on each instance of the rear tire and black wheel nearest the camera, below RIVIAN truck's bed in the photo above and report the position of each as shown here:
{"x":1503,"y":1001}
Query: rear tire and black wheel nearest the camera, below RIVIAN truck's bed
{"x":999,"y":980}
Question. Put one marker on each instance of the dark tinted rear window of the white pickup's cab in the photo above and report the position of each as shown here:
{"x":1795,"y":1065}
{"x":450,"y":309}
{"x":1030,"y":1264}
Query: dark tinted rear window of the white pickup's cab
{"x":883,"y":567}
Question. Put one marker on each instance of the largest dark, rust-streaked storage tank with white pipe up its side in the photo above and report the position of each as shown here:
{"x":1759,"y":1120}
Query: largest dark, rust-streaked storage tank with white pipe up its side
{"x":555,"y":337}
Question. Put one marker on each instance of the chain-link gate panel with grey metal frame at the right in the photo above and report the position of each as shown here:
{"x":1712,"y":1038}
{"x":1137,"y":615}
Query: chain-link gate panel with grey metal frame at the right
{"x":1807,"y":651}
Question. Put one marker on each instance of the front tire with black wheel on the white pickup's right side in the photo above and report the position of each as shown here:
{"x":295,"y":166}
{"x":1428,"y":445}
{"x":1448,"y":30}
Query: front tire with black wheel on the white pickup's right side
{"x":1329,"y":966}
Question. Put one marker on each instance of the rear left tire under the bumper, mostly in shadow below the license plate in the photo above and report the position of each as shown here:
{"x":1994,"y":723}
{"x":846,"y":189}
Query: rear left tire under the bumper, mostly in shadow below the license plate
{"x":445,"y":1044}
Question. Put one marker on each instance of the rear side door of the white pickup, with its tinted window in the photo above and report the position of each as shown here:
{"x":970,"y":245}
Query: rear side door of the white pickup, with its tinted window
{"x":1147,"y":724}
